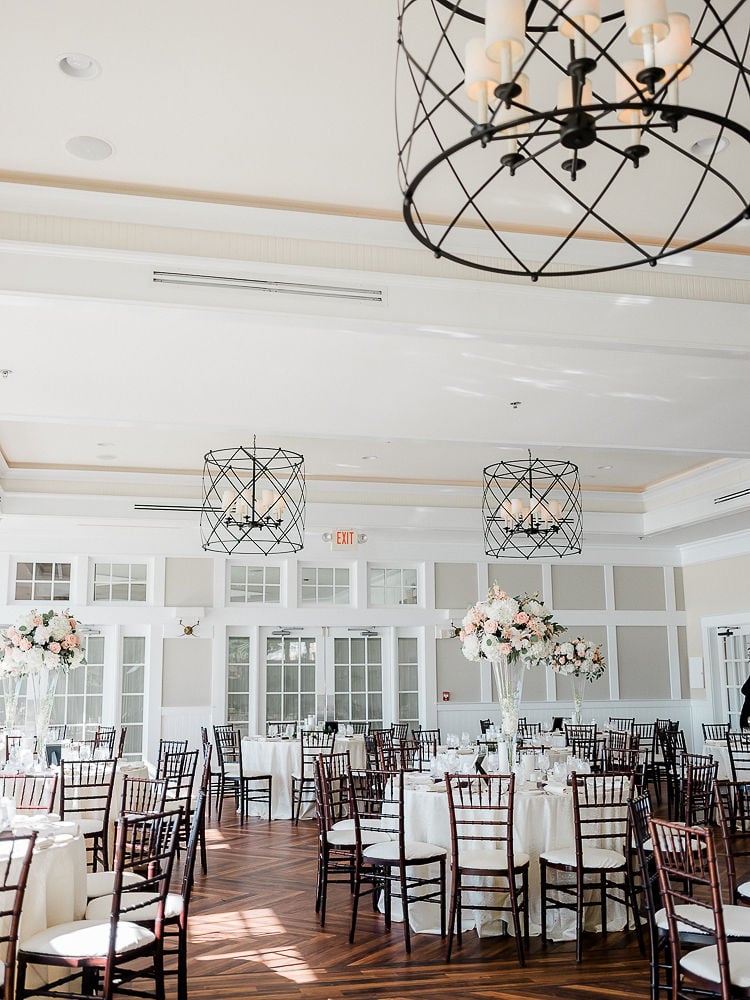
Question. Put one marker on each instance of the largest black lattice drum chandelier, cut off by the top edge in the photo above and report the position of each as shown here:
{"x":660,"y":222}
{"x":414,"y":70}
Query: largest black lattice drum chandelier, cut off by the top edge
{"x":524,"y":129}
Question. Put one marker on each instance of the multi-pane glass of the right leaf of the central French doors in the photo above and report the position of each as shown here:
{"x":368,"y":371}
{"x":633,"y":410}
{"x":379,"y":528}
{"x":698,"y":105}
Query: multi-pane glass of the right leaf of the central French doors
{"x":358,"y":679}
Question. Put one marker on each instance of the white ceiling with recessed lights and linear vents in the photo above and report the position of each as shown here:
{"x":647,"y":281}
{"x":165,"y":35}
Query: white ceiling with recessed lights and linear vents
{"x":257,"y":141}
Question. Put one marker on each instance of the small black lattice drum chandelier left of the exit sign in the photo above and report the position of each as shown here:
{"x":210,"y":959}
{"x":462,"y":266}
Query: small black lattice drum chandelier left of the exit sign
{"x":253,"y":501}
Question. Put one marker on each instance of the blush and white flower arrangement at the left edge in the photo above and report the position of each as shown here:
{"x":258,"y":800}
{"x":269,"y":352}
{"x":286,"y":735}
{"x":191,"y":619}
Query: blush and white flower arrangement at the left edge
{"x":41,"y":640}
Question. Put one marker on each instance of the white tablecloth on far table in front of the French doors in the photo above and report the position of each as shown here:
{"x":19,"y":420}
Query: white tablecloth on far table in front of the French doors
{"x":281,"y":758}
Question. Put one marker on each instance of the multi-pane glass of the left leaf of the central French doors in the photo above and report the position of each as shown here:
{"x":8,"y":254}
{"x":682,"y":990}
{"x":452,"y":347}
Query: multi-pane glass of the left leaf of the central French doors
{"x":290,"y":678}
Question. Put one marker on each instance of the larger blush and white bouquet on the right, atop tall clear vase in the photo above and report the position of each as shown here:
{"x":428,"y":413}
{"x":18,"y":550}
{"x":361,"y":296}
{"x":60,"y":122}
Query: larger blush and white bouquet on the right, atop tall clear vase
{"x":520,"y":628}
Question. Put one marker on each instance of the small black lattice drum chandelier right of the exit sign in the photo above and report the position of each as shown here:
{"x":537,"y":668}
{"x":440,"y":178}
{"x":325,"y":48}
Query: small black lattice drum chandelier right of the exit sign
{"x":532,"y":508}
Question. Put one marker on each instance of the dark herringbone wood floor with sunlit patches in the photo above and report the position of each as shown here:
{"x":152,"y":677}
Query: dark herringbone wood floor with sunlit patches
{"x":254,"y":933}
